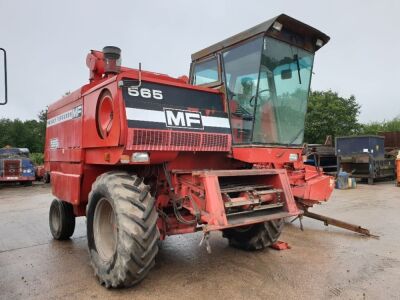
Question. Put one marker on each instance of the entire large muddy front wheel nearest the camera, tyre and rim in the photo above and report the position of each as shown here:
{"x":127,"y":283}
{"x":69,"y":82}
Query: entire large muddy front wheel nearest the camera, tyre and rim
{"x":121,"y":229}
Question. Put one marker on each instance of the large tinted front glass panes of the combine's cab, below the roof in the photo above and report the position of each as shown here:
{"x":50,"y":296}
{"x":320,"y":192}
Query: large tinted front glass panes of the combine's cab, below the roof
{"x":267,"y":85}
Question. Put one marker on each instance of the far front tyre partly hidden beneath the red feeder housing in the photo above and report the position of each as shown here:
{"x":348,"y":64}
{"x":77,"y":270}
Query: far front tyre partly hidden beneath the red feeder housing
{"x":254,"y":237}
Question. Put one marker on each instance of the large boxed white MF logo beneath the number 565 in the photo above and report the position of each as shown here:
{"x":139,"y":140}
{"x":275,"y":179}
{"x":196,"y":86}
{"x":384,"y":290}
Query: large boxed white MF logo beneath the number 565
{"x":183,"y":119}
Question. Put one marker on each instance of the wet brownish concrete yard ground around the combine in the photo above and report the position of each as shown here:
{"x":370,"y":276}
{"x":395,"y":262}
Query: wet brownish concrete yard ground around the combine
{"x":324,"y":262}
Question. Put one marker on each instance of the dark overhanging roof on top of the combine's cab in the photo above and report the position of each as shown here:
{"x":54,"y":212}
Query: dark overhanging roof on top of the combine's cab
{"x":289,"y":24}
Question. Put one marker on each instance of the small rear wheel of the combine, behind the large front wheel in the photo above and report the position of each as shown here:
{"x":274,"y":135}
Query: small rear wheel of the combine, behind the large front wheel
{"x":61,"y":220}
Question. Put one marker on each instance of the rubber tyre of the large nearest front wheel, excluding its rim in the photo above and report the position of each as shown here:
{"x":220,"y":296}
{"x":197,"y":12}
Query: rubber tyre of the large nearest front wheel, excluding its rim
{"x":138,"y":232}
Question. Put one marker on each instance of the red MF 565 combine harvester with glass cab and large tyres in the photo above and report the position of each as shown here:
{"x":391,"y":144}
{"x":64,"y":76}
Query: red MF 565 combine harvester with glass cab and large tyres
{"x":143,"y":155}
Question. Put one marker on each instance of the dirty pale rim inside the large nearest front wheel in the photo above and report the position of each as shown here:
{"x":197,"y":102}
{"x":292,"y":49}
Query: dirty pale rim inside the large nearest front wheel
{"x":105,"y":229}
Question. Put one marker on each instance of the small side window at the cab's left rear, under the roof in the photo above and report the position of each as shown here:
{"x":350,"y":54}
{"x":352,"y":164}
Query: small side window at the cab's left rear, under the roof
{"x":206,"y":72}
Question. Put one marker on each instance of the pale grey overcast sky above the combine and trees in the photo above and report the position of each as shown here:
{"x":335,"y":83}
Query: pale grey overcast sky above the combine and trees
{"x":47,"y":43}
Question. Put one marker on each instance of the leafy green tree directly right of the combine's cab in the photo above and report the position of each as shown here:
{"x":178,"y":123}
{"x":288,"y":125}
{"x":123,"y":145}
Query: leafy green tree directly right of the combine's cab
{"x":330,"y":114}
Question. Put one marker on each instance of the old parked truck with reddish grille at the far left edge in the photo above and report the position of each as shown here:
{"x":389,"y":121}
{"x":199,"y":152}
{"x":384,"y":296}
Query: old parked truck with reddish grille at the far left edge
{"x":15,"y":166}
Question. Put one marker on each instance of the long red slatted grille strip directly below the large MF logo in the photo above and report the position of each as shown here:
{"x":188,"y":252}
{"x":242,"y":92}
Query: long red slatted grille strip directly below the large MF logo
{"x":145,"y":139}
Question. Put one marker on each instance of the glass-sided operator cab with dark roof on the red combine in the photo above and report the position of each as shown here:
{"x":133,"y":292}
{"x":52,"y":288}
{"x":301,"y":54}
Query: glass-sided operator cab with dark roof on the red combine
{"x":265,"y":74}
